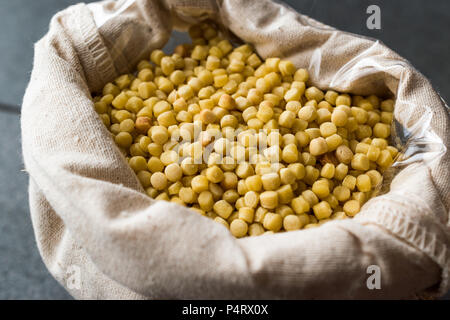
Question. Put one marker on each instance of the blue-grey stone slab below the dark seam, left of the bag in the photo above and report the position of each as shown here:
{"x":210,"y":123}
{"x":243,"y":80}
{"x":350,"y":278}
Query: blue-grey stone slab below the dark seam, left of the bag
{"x":22,"y":273}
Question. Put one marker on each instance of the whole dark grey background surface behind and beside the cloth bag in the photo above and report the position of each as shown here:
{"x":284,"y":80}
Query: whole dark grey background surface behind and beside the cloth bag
{"x":418,"y":30}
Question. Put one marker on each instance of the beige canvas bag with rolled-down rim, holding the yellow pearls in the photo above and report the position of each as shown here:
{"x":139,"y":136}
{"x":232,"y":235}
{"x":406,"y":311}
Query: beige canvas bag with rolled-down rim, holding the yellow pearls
{"x":92,"y":219}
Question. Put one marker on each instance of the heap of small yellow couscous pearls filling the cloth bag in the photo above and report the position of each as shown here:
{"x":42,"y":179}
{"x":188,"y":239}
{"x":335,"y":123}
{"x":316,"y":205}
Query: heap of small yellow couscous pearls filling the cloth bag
{"x":244,"y":141}
